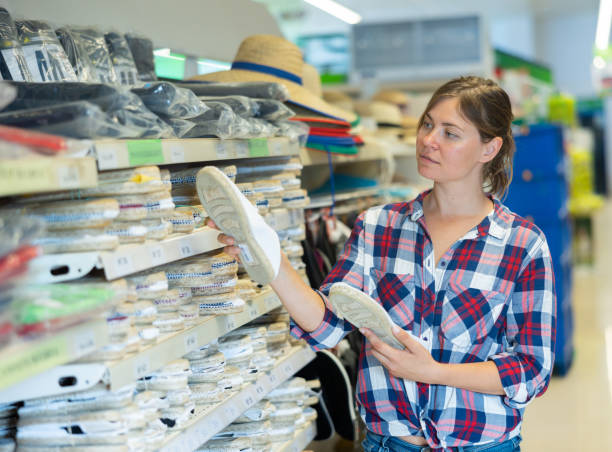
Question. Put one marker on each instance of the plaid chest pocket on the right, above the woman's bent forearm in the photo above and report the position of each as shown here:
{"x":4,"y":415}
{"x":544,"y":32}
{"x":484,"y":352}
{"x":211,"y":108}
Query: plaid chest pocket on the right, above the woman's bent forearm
{"x":469,"y":315}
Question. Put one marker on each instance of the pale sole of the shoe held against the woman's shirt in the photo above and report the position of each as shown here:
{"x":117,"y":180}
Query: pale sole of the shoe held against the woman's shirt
{"x":363,"y":312}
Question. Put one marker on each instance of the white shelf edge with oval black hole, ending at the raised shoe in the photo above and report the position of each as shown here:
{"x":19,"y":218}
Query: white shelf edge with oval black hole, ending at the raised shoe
{"x":124,"y":260}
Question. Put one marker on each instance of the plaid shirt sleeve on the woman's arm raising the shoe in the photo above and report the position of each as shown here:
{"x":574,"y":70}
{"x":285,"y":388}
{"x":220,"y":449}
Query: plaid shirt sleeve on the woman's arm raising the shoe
{"x":348,"y":269}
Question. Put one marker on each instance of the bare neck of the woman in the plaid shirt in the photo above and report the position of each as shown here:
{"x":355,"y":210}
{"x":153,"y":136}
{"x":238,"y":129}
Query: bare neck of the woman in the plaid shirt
{"x":451,"y":201}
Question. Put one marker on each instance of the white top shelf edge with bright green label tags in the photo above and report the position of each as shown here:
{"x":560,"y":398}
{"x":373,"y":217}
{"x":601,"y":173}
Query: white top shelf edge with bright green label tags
{"x":113,"y":154}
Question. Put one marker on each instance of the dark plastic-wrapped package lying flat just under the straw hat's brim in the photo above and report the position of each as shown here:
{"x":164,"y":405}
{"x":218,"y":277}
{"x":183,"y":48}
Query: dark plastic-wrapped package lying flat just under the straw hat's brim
{"x":258,"y":90}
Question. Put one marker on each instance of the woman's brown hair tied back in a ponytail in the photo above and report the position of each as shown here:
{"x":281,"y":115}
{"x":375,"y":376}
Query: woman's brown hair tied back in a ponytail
{"x":487,"y":106}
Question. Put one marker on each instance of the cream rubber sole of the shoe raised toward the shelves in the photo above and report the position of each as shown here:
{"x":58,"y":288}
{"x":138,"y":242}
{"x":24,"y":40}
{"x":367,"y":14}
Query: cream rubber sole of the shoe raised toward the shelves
{"x":224,"y":206}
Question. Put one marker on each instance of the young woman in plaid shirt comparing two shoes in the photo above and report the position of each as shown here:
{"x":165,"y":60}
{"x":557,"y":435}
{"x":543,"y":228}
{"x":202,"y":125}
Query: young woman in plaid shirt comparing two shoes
{"x":454,"y":267}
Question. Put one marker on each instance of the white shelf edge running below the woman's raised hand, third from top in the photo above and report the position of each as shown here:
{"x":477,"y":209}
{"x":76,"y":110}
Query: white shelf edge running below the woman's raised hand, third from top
{"x":176,"y":345}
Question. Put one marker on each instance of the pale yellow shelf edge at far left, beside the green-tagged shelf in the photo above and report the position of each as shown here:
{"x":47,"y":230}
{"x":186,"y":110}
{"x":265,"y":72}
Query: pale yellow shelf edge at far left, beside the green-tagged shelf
{"x":42,"y":174}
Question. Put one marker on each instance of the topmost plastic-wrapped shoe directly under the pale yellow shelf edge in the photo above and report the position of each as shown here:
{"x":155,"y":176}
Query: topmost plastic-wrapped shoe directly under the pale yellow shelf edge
{"x":63,"y":215}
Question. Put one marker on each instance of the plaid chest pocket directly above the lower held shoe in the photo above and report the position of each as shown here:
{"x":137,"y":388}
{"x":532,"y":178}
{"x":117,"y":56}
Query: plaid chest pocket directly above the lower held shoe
{"x":395,"y":292}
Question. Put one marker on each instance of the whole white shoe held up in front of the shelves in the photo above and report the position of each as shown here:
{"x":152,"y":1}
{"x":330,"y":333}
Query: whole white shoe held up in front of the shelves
{"x":236,"y":216}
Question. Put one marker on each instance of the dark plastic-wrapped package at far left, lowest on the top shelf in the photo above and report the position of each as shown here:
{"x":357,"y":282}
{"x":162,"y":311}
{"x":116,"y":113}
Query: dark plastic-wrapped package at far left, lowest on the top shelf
{"x":73,"y":119}
